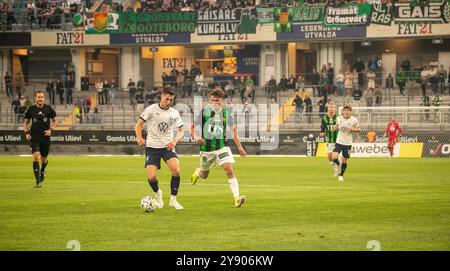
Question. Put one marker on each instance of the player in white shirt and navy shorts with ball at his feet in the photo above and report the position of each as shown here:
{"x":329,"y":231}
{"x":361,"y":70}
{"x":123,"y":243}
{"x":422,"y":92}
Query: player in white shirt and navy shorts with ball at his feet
{"x":161,"y":119}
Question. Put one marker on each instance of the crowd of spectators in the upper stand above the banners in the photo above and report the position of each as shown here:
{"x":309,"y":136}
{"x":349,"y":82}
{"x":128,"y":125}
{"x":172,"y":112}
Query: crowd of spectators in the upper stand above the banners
{"x":57,"y":14}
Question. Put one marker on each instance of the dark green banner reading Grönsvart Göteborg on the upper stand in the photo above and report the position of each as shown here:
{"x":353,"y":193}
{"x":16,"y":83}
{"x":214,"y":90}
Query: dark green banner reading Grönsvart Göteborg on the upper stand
{"x":157,"y":22}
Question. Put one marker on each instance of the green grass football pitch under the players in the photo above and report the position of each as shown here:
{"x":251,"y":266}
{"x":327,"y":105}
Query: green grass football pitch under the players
{"x":293,"y":204}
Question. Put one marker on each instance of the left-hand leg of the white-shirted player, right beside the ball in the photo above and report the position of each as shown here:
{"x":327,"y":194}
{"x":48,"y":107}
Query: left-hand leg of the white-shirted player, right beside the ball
{"x":152,"y":164}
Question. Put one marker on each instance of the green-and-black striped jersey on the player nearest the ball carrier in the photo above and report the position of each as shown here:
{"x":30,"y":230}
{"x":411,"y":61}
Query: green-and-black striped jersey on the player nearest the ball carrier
{"x":214,"y":128}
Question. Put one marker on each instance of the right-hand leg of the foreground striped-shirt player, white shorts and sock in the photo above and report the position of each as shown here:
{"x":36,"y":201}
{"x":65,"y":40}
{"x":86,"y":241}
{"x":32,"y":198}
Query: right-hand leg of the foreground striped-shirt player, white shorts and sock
{"x":226,"y":160}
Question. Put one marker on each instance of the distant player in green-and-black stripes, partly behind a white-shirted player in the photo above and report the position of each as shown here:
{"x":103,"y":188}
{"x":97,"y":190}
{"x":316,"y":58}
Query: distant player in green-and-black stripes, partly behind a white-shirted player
{"x":328,"y":129}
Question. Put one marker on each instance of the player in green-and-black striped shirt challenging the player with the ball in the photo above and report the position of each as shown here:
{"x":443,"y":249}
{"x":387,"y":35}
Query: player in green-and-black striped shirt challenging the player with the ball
{"x":214,"y":121}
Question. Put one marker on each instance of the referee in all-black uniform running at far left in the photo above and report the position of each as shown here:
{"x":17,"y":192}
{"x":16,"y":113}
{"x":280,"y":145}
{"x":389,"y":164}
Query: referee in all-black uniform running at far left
{"x":43,"y":120}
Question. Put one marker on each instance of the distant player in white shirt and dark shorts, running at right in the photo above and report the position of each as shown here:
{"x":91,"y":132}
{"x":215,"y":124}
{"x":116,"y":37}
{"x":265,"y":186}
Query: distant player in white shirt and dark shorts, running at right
{"x":346,"y":124}
